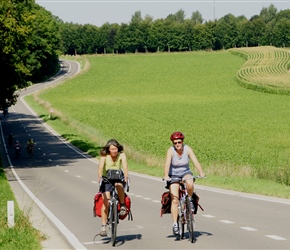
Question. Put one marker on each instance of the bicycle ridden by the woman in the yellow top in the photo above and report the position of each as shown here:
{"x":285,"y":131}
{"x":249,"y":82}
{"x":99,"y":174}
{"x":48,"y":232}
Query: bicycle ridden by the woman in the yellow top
{"x":113,"y":214}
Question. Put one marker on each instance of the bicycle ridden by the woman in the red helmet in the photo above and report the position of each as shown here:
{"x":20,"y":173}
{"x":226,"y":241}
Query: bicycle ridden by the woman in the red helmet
{"x":186,"y":210}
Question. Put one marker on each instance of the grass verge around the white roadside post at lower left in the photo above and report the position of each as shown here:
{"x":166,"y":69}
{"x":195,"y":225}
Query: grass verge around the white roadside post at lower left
{"x":22,"y":235}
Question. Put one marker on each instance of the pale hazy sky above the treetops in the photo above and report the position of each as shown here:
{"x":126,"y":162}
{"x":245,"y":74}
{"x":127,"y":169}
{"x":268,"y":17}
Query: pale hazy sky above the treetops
{"x":119,"y":11}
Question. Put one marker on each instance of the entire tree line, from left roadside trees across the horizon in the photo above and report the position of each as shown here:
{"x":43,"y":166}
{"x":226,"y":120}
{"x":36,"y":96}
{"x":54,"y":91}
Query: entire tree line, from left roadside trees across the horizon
{"x":31,"y":38}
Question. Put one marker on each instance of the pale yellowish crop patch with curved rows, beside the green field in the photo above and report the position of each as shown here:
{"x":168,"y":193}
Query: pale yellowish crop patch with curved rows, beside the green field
{"x":266,"y":69}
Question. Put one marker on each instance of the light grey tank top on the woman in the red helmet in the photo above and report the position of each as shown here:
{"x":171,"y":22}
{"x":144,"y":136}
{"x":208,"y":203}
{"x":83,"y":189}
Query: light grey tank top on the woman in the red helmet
{"x":179,"y":164}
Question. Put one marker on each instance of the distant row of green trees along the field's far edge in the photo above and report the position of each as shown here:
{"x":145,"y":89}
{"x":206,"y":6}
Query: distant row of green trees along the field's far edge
{"x":176,"y":33}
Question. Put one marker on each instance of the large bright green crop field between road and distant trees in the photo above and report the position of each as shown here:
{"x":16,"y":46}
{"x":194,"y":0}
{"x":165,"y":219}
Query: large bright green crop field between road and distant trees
{"x":141,"y":99}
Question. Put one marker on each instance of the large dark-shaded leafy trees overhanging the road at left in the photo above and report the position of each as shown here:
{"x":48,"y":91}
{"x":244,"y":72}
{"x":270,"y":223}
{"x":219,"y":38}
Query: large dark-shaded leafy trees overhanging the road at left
{"x":29,"y":46}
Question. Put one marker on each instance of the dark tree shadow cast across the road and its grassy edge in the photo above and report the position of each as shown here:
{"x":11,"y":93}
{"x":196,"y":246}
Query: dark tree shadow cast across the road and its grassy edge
{"x":49,"y":151}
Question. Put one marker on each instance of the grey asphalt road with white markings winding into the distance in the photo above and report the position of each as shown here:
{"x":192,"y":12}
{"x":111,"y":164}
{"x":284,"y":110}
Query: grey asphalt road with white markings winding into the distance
{"x":63,"y":180}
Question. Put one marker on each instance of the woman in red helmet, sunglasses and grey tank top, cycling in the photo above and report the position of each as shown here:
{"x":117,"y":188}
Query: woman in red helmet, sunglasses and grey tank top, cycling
{"x":177,"y":166}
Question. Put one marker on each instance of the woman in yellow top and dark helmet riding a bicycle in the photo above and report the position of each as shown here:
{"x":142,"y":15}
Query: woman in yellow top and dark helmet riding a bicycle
{"x":112,"y":157}
